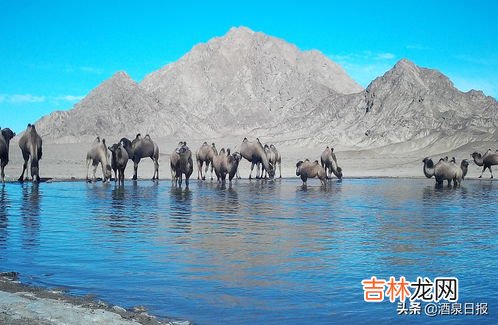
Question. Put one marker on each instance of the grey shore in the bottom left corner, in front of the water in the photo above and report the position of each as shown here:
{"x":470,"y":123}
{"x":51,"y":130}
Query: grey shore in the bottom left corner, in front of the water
{"x":25,"y":304}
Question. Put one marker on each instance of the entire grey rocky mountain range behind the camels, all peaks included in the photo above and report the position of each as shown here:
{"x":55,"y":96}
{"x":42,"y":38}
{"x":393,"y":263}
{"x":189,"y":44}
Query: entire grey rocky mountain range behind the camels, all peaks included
{"x":249,"y":84}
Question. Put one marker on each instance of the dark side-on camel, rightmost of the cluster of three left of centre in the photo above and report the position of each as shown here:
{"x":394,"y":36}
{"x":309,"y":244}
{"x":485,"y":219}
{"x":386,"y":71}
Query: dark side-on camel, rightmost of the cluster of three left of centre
{"x":142,"y":148}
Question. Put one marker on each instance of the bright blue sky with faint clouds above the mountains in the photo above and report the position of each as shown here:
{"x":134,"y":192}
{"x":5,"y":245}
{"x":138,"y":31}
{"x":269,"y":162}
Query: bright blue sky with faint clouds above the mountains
{"x":53,"y":53}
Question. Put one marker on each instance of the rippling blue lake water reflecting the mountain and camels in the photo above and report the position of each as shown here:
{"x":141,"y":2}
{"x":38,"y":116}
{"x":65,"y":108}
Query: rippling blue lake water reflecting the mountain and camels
{"x":259,"y":252}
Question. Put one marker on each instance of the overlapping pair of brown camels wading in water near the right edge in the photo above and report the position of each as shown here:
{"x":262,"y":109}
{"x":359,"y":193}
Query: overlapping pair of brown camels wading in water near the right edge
{"x":445,"y":170}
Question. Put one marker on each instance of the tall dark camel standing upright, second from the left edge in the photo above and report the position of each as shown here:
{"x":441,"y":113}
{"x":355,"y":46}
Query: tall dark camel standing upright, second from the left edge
{"x":31,"y":148}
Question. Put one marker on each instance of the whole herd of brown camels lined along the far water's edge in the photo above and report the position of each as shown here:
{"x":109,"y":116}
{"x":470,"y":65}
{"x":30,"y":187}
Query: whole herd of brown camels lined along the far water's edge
{"x":223,"y":163}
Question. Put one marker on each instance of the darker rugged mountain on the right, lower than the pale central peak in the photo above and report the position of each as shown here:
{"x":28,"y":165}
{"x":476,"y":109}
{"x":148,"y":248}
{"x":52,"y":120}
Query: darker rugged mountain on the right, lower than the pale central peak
{"x":408,"y":104}
